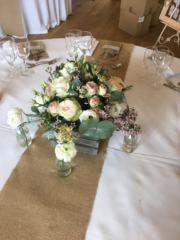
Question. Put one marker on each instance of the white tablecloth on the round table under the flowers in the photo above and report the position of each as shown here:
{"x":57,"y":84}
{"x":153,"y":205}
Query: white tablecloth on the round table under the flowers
{"x":138,"y":194}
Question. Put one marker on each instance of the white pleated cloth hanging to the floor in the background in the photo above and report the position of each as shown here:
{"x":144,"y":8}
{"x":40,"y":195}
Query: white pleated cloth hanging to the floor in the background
{"x":39,"y":15}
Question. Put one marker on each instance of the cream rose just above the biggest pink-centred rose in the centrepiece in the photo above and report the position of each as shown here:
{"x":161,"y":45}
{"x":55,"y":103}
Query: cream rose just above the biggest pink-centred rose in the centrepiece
{"x":60,"y":86}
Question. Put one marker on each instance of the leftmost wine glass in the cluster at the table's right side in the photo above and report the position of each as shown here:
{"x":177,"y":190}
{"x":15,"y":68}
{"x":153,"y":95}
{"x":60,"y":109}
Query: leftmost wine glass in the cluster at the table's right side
{"x":147,"y":63}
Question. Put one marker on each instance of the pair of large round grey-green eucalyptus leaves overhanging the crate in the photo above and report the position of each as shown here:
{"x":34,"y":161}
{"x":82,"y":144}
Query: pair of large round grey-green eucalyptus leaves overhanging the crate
{"x":97,"y":129}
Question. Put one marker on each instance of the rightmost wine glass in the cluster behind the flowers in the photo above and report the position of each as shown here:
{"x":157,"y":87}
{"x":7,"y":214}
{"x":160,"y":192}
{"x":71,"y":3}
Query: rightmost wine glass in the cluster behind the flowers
{"x":86,"y":42}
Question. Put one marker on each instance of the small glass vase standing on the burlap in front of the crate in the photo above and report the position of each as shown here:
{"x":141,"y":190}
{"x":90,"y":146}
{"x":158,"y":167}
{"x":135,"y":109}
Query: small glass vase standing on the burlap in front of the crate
{"x":63,"y":168}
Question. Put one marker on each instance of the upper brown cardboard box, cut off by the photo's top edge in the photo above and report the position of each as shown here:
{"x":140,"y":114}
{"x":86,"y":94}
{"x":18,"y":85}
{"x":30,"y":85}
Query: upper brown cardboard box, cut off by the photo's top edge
{"x":140,"y":7}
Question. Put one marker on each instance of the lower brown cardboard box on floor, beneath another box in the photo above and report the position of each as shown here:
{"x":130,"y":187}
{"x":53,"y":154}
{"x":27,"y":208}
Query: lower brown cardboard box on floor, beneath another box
{"x":133,"y":24}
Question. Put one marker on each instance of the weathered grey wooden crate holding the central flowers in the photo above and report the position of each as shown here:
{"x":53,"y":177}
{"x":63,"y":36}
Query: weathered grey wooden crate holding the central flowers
{"x":83,"y":144}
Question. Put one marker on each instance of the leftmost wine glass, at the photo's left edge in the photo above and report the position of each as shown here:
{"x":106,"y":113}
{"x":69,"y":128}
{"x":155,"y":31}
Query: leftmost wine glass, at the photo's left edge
{"x":8,"y":50}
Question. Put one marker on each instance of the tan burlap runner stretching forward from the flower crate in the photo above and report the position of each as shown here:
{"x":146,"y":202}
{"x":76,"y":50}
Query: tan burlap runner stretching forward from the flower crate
{"x":36,"y":204}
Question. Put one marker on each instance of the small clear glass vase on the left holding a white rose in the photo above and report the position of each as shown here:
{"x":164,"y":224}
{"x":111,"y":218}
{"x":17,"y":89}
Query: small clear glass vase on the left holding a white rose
{"x":23,"y":137}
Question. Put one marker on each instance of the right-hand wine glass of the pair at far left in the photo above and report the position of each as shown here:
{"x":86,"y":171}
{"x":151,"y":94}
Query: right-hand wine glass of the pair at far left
{"x":23,"y":51}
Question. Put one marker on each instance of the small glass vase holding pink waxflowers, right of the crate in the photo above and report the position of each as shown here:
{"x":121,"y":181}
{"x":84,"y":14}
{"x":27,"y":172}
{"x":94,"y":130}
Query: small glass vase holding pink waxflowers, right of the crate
{"x":129,"y":143}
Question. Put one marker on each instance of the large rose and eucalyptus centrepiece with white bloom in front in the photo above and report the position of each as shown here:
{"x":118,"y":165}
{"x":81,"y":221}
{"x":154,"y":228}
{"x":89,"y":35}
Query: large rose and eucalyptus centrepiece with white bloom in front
{"x":79,"y":96}
